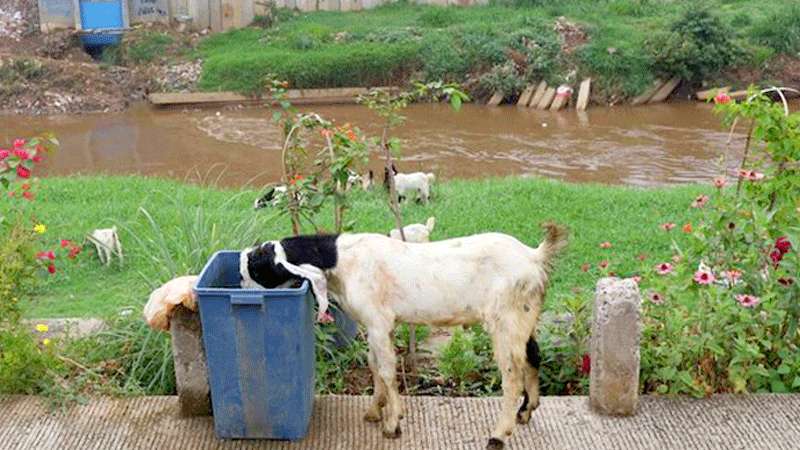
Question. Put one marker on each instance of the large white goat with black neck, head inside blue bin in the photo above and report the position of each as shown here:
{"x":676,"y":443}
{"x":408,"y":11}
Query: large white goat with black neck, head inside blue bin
{"x":493,"y":279}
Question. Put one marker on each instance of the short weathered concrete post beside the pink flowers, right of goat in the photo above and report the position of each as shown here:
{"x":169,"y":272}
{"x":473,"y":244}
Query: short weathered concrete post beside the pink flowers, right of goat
{"x":616,"y":328}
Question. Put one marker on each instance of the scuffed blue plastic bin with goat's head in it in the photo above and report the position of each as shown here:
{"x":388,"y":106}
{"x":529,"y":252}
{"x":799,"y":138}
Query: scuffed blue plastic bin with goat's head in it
{"x":260,"y":349}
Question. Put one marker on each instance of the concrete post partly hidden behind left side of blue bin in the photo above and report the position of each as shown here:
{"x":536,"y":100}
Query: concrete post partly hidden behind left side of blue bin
{"x":191,"y":373}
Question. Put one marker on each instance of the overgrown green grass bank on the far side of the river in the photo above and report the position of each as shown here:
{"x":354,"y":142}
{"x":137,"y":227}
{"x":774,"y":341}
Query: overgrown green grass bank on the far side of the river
{"x":623,"y":44}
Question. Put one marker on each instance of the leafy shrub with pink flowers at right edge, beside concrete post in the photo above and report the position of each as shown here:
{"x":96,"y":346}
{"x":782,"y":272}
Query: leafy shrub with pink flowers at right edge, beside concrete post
{"x":722,"y":316}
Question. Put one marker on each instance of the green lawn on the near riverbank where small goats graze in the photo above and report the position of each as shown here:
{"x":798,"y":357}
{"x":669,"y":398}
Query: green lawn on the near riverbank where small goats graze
{"x":189,"y":222}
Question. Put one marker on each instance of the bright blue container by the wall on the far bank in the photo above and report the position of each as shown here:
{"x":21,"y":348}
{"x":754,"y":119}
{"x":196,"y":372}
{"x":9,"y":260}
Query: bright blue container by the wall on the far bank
{"x":101,"y":21}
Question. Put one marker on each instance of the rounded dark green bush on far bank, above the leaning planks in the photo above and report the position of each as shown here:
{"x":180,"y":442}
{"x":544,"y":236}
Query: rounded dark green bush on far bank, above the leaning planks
{"x":699,"y":45}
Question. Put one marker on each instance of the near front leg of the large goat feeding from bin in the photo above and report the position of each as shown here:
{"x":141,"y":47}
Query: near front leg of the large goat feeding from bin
{"x":381,"y":345}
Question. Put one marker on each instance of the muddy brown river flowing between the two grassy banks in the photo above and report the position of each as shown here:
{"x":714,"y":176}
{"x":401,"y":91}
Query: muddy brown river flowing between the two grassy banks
{"x":645,"y":146}
